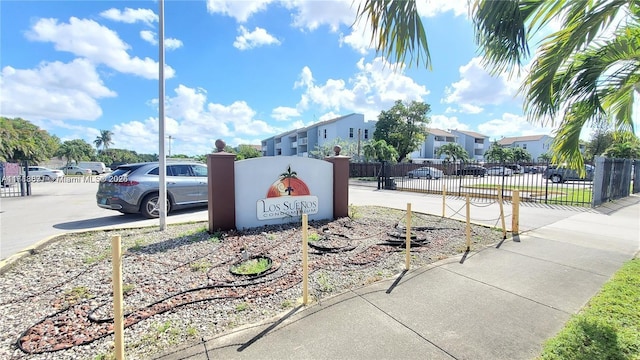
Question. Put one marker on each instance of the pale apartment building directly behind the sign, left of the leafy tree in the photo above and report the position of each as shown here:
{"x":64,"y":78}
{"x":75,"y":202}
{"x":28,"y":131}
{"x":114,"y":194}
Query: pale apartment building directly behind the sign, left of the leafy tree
{"x":301,"y":142}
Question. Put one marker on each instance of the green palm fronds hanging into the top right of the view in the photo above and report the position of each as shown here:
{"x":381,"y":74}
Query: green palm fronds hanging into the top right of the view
{"x":578,"y":78}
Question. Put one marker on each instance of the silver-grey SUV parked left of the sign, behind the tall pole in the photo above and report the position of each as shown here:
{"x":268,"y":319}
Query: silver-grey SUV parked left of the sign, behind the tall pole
{"x":134,"y":188}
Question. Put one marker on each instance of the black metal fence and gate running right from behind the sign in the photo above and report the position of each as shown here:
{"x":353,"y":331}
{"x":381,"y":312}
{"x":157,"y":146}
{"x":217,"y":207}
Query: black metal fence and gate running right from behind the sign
{"x":534,"y":181}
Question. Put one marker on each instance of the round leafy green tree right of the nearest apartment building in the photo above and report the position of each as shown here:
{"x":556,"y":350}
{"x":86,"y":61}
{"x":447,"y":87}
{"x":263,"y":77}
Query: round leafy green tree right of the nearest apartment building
{"x":403,"y":126}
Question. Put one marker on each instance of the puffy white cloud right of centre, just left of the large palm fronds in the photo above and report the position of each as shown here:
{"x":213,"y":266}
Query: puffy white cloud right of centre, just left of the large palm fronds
{"x":477,"y":88}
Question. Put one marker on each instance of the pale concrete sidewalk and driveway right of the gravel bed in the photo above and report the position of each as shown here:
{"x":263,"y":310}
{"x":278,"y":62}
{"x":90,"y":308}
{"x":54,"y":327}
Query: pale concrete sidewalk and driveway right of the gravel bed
{"x":500,"y":302}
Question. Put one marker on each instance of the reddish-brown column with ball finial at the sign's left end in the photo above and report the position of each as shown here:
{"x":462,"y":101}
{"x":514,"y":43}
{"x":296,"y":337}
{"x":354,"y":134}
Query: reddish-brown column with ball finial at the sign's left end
{"x":222,"y":193}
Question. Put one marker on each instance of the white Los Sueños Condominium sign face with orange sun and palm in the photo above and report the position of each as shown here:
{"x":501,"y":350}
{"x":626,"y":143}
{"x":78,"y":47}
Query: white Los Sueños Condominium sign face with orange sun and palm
{"x":279,"y":189}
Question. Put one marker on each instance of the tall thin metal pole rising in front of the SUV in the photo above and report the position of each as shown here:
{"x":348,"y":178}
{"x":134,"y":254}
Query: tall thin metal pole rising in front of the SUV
{"x":162,"y":198}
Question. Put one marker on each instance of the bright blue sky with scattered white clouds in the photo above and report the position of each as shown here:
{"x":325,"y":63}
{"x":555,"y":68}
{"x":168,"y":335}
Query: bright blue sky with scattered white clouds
{"x":241,"y":71}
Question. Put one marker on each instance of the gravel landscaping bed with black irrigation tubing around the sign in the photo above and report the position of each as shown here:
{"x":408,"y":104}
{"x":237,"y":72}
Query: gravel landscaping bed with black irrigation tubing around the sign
{"x":57,"y":302}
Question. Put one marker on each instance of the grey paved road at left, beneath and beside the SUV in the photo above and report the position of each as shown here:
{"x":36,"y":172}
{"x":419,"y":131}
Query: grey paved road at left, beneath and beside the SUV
{"x":56,"y":208}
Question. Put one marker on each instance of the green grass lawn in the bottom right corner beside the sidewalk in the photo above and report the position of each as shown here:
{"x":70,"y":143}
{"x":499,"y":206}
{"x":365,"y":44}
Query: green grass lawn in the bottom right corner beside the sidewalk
{"x":608,"y":327}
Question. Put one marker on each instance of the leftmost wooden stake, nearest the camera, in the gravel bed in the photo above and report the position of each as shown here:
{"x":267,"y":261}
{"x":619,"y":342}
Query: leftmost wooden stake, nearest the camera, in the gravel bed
{"x":118,"y":317}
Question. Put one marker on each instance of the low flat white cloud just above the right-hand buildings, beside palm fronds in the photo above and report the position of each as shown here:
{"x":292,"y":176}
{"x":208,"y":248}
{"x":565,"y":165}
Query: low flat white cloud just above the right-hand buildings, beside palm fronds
{"x":511,"y":125}
